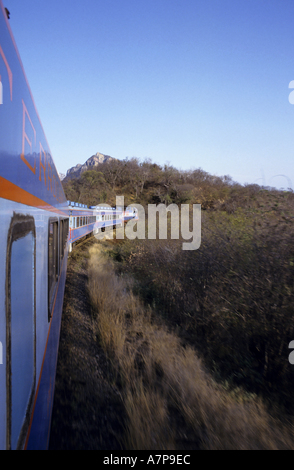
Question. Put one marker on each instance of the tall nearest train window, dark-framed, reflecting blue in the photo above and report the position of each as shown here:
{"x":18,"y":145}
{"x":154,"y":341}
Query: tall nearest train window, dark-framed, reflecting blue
{"x":21,"y":328}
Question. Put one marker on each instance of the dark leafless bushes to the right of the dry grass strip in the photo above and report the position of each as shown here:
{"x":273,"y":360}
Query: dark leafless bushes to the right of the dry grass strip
{"x":232,"y":299}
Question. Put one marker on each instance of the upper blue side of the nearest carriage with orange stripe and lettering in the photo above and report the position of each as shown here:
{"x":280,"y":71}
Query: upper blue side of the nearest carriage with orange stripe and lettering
{"x":27,"y":168}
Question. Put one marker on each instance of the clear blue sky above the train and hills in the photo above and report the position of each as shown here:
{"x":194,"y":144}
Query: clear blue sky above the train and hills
{"x":197,"y":83}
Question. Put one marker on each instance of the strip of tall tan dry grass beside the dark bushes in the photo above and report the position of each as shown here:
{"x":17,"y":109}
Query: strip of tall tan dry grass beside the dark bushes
{"x":170,"y":400}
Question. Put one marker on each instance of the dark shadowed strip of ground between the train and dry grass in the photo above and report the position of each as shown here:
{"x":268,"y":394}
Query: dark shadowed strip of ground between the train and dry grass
{"x":87,"y":408}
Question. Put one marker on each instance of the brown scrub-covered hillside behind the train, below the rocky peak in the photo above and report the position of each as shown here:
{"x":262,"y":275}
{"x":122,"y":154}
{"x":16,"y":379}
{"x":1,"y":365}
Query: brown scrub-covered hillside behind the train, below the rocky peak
{"x":147,"y":183}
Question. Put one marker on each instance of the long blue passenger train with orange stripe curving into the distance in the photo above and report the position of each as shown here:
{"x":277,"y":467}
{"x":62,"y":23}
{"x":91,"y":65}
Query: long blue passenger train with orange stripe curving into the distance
{"x":38,"y":229}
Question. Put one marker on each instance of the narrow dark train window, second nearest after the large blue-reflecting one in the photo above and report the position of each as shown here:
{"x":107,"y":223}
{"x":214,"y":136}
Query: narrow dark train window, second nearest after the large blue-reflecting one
{"x":52,"y":262}
